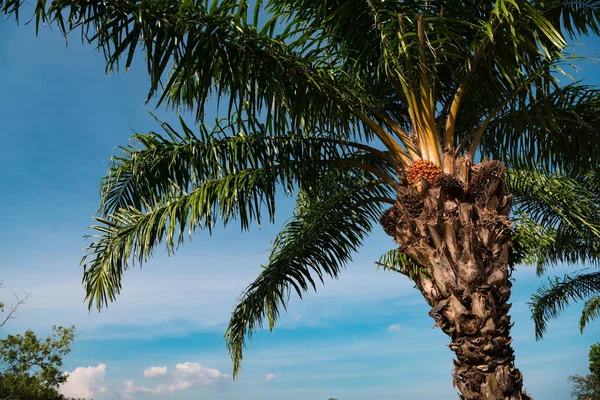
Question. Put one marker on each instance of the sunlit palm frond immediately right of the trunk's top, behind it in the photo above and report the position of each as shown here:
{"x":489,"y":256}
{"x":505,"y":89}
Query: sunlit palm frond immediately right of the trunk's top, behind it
{"x":557,"y":216}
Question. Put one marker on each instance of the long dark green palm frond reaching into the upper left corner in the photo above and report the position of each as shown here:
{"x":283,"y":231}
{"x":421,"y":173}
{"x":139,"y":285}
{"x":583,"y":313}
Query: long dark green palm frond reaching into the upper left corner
{"x":198,"y":49}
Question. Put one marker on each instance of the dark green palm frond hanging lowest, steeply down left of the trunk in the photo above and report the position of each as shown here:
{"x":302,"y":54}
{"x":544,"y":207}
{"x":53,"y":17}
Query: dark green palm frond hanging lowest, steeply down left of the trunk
{"x":317,"y":242}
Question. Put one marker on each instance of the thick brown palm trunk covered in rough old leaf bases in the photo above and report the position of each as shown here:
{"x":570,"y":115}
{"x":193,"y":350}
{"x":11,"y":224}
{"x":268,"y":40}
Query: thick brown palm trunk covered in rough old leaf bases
{"x":460,"y":234}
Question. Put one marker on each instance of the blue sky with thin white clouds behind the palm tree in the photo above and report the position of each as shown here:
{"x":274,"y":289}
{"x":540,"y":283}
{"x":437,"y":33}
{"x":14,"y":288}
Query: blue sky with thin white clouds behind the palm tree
{"x":365,"y":336}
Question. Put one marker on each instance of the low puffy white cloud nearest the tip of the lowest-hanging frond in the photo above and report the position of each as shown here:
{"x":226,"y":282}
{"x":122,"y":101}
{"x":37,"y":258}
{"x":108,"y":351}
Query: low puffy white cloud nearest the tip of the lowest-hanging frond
{"x":185,"y":376}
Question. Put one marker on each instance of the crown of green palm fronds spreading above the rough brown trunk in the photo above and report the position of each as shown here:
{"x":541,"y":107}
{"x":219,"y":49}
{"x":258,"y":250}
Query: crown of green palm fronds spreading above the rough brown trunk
{"x":344,"y":104}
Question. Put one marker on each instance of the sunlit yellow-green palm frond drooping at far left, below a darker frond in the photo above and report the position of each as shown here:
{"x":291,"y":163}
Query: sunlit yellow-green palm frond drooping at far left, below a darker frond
{"x":130,"y":235}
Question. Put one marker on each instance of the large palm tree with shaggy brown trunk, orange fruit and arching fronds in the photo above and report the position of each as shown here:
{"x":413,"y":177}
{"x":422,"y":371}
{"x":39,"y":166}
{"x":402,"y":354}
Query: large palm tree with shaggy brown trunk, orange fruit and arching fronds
{"x":350,"y":106}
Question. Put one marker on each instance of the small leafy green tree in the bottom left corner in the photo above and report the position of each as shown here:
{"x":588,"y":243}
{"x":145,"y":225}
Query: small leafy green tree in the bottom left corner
{"x":30,"y":367}
